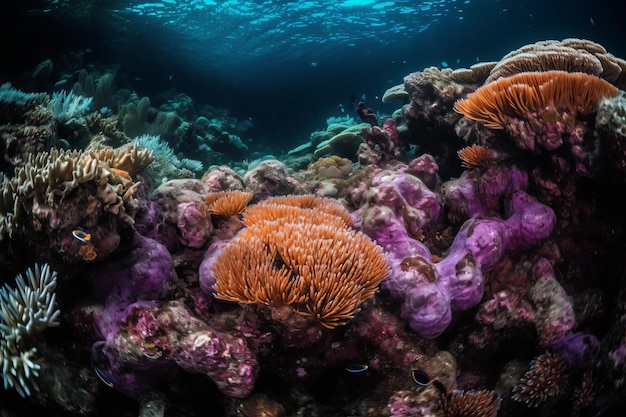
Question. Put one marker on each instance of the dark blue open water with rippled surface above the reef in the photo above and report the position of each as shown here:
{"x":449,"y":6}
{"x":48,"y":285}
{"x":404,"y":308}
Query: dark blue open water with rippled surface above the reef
{"x":289,"y":65}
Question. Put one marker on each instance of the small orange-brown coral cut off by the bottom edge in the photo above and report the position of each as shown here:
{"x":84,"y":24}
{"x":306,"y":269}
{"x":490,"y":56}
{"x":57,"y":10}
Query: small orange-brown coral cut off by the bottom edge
{"x":472,"y":403}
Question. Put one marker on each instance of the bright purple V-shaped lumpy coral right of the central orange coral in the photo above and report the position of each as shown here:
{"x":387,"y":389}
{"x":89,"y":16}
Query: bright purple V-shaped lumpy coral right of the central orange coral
{"x":430,"y":292}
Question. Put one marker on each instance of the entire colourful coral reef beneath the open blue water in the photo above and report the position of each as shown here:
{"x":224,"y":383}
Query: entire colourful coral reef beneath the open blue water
{"x":460,"y":257}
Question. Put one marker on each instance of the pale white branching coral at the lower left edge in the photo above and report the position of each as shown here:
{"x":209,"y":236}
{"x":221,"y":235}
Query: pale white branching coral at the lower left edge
{"x":25,"y":312}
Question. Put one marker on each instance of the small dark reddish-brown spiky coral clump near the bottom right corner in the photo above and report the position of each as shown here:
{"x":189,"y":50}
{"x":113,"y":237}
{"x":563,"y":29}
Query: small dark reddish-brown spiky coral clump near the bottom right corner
{"x":546,"y":378}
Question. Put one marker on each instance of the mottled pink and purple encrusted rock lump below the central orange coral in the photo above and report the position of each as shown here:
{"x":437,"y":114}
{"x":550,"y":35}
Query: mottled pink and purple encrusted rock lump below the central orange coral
{"x":151,"y":339}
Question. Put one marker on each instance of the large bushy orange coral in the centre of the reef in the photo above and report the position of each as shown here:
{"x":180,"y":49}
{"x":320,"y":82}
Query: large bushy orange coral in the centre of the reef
{"x":303,"y":258}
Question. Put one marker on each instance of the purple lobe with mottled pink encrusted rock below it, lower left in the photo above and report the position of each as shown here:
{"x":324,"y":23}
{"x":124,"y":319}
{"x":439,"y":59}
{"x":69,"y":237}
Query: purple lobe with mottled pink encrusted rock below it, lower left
{"x":146,"y":339}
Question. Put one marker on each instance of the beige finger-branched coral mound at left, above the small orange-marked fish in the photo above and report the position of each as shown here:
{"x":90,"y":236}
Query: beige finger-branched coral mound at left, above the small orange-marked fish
{"x":43,"y":200}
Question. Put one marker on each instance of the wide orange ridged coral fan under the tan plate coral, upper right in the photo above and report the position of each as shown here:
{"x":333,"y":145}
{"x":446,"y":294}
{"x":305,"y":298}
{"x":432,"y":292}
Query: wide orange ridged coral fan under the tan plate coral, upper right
{"x":528,"y":92}
